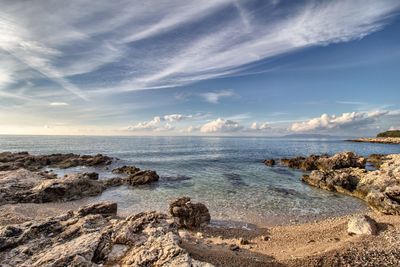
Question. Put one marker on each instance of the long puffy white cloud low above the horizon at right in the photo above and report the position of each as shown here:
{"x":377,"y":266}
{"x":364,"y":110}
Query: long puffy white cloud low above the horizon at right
{"x":346,"y":120}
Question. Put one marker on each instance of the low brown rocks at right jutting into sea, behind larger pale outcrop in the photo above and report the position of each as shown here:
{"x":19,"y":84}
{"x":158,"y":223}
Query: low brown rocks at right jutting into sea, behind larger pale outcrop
{"x":324,"y":162}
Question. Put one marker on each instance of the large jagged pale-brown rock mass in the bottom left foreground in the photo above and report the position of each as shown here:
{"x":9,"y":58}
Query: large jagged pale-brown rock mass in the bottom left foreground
{"x":94,"y":236}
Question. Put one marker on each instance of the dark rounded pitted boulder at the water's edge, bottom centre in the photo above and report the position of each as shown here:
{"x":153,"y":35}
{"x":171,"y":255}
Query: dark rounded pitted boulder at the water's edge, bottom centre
{"x":189,"y":215}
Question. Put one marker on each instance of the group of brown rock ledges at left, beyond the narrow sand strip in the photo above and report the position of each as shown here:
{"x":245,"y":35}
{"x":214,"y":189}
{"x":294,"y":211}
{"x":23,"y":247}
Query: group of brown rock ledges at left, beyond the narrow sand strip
{"x":22,"y":179}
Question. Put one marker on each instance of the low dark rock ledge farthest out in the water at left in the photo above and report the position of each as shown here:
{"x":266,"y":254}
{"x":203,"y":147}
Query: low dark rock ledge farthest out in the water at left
{"x":14,"y":161}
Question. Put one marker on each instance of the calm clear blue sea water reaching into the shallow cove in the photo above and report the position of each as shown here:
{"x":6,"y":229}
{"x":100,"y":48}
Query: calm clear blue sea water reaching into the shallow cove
{"x":225,"y":173}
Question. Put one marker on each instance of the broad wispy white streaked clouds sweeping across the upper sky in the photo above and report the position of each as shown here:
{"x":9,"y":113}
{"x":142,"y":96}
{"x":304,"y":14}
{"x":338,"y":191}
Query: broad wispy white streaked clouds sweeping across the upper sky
{"x":135,"y":46}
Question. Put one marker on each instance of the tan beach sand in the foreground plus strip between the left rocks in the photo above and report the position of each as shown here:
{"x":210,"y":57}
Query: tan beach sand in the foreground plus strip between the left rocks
{"x":321,"y":243}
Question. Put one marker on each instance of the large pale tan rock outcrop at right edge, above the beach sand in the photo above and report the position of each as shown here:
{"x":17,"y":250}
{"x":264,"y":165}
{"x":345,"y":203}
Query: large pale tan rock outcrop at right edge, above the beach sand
{"x":379,"y":188}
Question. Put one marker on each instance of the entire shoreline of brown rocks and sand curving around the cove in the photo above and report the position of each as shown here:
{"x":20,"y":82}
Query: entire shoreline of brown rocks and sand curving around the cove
{"x":35,"y":233}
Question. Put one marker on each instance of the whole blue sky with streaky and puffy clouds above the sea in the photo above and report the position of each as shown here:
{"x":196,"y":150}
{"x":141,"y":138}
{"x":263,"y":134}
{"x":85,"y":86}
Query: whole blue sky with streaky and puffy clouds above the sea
{"x":183,"y":67}
